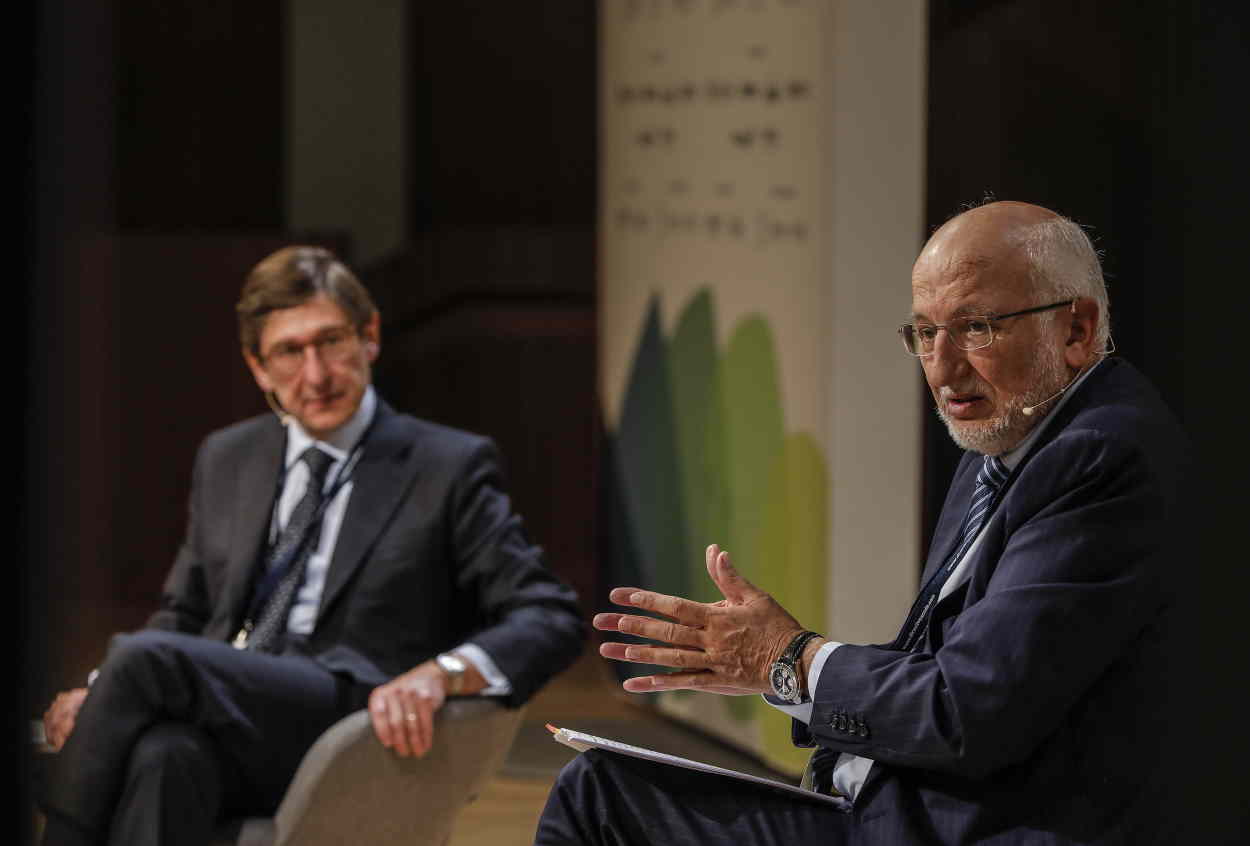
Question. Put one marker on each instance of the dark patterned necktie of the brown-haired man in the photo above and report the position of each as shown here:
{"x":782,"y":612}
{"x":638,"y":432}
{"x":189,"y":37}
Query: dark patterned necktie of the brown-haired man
{"x":296,"y":539}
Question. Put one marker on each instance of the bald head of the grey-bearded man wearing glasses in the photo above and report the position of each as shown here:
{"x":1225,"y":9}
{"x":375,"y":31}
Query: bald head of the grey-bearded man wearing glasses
{"x":1031,"y":279}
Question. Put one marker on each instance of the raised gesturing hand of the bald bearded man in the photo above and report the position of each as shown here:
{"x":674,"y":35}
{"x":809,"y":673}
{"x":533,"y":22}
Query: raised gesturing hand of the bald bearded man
{"x":722,"y":648}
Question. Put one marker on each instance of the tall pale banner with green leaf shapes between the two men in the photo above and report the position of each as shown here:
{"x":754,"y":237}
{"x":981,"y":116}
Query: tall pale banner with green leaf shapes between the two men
{"x":762,"y":198}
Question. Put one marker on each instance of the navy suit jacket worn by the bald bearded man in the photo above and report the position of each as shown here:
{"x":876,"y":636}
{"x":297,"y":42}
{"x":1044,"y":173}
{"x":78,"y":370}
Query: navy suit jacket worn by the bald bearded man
{"x":1039,"y":708}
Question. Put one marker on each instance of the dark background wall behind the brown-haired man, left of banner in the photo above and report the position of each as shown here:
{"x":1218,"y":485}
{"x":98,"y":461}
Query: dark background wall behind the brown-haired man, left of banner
{"x":177,"y":144}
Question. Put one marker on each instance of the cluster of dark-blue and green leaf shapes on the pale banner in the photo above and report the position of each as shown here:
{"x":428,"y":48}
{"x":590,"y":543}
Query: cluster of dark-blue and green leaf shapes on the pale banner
{"x":702,"y":457}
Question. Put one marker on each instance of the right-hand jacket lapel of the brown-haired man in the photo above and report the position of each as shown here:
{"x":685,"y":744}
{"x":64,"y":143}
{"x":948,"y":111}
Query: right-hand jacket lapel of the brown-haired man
{"x":378,"y":485}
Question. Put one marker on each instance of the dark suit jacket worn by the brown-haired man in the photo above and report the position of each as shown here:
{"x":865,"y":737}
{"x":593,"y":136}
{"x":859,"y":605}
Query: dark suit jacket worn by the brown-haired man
{"x":429,"y":557}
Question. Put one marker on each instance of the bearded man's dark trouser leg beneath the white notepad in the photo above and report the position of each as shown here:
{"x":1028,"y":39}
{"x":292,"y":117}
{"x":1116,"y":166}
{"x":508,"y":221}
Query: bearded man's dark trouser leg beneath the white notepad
{"x":616,"y":800}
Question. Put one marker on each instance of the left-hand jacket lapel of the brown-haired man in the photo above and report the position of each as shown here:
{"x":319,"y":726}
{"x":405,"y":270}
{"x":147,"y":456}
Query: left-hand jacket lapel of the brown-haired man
{"x":256,"y":489}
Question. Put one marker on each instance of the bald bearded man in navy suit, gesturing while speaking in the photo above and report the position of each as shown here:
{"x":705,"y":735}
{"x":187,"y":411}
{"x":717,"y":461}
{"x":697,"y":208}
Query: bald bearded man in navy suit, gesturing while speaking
{"x":1027,"y":698}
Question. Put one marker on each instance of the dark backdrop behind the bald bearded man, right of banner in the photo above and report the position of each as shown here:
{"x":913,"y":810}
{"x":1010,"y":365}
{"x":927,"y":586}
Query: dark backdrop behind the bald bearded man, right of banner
{"x":1128,"y":117}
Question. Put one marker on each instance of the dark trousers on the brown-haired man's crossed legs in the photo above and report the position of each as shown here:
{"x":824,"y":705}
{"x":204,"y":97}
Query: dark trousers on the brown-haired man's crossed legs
{"x":259,"y":713}
